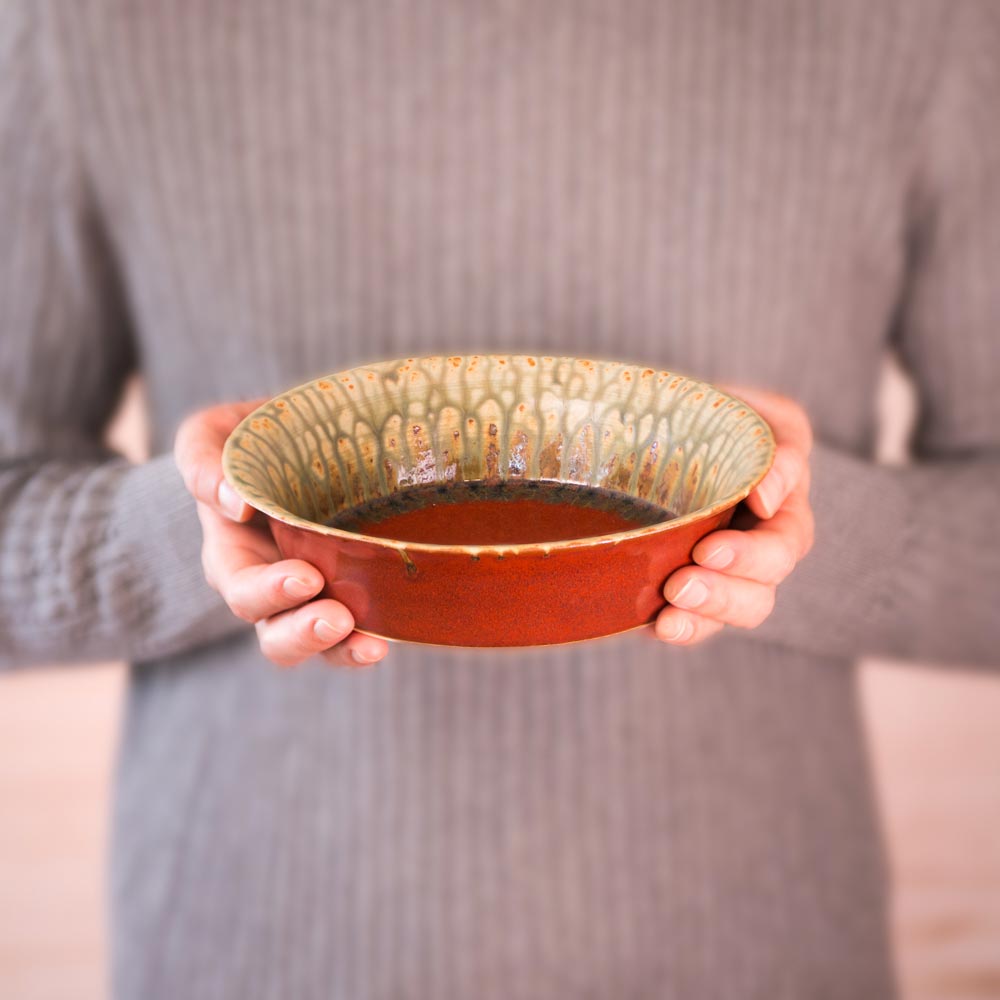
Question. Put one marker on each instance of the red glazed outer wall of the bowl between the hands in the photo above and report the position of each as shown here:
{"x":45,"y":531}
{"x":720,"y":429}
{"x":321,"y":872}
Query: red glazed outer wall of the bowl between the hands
{"x":527,"y":595}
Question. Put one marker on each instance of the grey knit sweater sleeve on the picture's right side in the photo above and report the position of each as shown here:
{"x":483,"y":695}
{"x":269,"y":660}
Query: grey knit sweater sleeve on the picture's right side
{"x":907,"y":561}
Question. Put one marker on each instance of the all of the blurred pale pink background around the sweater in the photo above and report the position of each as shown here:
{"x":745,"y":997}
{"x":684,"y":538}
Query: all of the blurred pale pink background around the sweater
{"x":934,"y":736}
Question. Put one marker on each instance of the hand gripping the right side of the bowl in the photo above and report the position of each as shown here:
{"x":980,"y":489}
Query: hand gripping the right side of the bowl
{"x":736,"y":573}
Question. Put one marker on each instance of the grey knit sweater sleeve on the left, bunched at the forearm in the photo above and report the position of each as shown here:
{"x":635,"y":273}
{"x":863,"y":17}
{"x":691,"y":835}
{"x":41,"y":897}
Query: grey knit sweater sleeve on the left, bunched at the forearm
{"x":98,"y":558}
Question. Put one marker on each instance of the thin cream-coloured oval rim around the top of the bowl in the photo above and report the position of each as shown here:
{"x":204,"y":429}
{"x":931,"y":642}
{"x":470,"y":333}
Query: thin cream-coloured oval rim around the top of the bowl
{"x":279,"y":513}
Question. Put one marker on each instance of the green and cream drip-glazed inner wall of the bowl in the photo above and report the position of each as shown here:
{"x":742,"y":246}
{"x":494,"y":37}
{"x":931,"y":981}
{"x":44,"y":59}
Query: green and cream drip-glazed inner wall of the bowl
{"x":364,"y":433}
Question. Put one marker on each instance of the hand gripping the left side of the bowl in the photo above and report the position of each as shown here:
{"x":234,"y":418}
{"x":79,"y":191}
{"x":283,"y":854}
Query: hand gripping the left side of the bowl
{"x":242,"y":563}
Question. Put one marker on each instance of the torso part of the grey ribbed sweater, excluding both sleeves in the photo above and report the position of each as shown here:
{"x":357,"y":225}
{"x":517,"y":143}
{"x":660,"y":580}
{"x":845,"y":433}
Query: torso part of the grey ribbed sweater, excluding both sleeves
{"x":714,"y":187}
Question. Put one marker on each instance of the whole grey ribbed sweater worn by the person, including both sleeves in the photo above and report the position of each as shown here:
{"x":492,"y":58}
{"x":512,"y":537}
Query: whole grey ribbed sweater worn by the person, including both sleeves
{"x":231,"y":197}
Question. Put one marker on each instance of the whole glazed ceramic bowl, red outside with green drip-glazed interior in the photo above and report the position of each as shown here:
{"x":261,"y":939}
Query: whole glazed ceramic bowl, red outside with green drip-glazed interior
{"x":498,"y":500}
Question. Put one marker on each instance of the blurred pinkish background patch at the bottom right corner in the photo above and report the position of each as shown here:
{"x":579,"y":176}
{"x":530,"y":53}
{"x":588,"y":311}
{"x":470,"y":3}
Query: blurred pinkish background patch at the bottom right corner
{"x":935,"y":737}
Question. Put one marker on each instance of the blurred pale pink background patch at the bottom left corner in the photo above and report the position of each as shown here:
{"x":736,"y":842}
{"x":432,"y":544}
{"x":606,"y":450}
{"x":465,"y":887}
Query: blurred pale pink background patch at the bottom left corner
{"x":57,"y":733}
